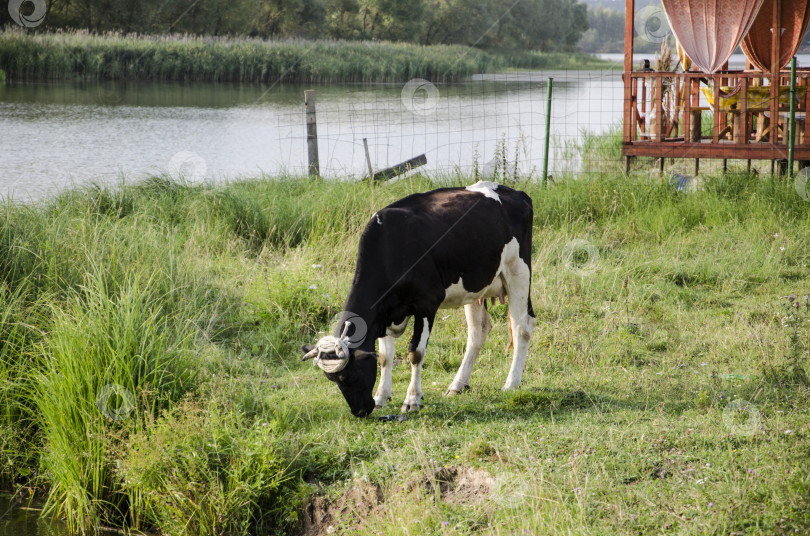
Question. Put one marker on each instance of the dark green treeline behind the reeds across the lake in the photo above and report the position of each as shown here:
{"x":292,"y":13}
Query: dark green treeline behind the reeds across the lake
{"x":551,"y":25}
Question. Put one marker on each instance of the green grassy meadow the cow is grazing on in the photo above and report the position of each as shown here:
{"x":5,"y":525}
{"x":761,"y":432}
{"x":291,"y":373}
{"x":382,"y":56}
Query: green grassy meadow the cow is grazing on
{"x":150,"y":374}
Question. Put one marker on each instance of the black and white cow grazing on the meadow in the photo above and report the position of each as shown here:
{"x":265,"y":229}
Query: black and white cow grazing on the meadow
{"x":439,"y":249}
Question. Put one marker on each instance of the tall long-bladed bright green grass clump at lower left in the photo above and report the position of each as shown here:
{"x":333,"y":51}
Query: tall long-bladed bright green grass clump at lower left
{"x":111,"y":357}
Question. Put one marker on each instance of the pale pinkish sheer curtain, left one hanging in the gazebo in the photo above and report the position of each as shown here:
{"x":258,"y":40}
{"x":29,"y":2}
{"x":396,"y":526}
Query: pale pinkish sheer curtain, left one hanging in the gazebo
{"x":710,"y":30}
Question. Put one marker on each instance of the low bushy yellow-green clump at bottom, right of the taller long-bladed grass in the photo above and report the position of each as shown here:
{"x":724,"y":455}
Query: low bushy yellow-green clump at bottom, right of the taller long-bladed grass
{"x":202,"y":469}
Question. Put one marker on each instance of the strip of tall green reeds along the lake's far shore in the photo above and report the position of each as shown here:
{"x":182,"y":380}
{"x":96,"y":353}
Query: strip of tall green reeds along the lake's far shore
{"x":79,"y":55}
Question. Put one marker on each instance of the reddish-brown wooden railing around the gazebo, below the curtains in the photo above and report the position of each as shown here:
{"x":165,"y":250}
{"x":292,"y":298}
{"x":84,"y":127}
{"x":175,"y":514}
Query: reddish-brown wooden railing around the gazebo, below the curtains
{"x":749,"y":117}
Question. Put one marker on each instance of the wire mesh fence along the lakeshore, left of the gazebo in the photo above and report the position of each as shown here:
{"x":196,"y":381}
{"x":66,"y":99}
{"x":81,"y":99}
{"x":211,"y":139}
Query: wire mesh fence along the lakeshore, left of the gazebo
{"x":489,"y":126}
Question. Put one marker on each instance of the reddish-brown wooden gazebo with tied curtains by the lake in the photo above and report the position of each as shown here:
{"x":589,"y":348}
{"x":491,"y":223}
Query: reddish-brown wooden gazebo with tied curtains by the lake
{"x":664,"y":115}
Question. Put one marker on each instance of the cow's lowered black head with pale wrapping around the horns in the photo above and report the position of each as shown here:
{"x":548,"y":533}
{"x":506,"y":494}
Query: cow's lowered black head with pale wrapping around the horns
{"x":352,"y":369}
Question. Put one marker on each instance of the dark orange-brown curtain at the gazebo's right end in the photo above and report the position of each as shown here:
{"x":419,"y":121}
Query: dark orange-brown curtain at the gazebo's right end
{"x":757,"y":44}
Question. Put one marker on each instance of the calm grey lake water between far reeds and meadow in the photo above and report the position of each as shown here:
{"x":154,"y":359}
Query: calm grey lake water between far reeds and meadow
{"x":62,"y":134}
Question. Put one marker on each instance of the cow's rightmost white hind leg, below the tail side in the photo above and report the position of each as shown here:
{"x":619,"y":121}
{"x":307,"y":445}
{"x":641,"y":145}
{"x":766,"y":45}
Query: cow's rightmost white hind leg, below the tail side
{"x":521,"y":318}
